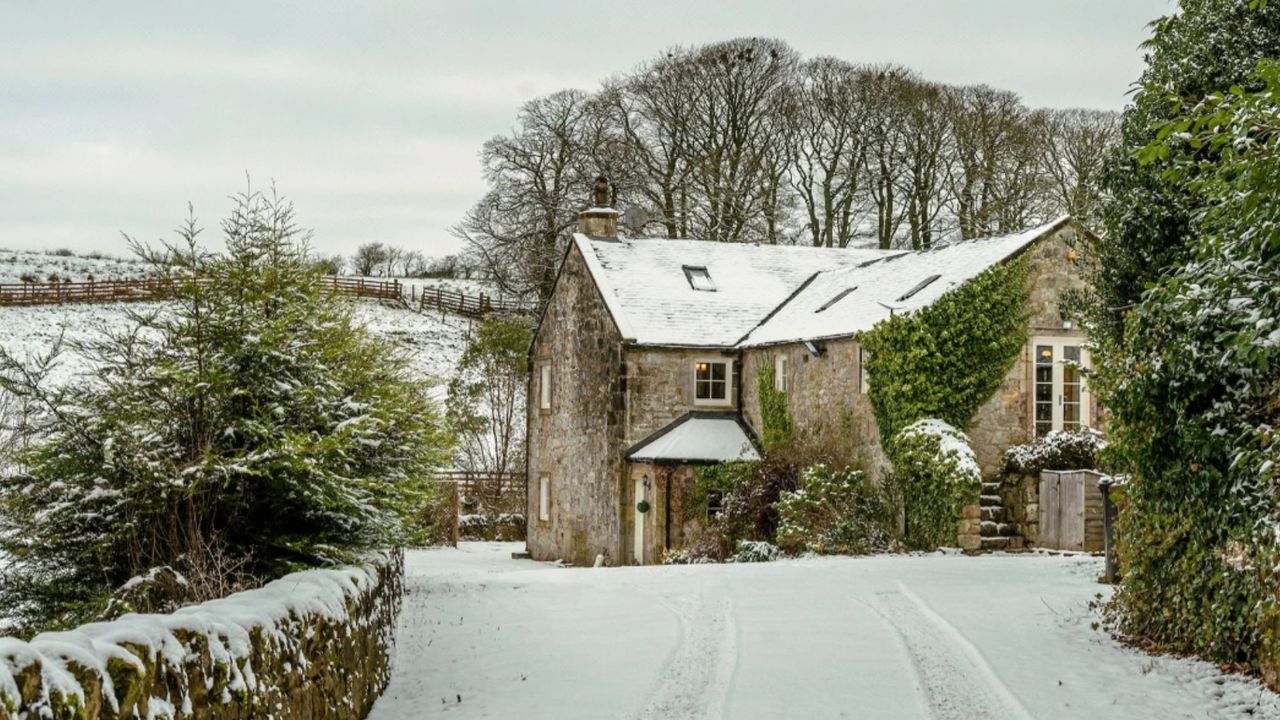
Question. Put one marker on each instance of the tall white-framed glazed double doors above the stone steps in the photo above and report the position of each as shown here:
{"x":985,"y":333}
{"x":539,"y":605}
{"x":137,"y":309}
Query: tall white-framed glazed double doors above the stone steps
{"x":1060,"y":402}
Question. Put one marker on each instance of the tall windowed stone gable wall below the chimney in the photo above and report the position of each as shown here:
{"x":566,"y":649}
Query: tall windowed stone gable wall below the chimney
{"x":579,"y":444}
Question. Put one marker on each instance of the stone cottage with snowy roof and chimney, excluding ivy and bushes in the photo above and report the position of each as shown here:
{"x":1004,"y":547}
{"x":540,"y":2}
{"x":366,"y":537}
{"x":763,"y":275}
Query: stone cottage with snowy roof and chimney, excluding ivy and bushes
{"x":648,"y":353}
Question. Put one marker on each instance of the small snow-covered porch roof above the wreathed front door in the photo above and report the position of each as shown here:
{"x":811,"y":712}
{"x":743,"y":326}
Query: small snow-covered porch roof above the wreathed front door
{"x":698,"y":438}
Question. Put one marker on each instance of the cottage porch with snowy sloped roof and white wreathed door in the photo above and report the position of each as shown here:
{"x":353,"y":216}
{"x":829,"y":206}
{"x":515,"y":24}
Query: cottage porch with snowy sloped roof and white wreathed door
{"x":664,"y":476}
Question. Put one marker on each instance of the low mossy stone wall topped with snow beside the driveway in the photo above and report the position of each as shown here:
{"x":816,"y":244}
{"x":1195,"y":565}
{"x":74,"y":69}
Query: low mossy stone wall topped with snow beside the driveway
{"x":312,"y":645}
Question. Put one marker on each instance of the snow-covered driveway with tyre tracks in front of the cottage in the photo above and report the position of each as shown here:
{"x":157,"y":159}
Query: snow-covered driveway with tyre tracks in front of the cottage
{"x":911,"y":637}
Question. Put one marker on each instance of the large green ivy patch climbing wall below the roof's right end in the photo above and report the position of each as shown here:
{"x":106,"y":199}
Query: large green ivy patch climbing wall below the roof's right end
{"x":947,"y":361}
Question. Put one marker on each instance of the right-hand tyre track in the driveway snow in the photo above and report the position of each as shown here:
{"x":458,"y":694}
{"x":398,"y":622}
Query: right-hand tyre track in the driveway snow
{"x":959,"y":683}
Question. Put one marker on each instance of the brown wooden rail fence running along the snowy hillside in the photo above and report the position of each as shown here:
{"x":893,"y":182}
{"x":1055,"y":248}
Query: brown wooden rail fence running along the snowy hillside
{"x":153,"y":289}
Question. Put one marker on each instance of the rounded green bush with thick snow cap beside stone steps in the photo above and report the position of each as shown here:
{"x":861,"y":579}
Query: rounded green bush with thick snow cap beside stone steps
{"x":936,"y":473}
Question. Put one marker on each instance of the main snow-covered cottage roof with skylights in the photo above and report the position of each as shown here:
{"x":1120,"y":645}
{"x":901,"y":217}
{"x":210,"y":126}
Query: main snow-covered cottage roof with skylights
{"x":767,"y":294}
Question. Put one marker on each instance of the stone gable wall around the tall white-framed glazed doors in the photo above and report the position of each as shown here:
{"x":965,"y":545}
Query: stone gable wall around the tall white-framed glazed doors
{"x":1005,"y":421}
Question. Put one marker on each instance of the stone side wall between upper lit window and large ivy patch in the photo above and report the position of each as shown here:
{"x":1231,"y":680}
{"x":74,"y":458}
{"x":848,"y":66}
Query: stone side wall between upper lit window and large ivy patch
{"x":825,"y":399}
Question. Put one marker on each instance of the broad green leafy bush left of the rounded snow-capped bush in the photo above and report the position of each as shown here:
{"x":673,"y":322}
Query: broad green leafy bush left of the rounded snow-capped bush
{"x":835,"y":514}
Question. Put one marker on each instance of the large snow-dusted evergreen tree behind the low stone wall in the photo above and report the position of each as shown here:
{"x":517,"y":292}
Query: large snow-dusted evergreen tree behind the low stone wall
{"x":253,"y":421}
